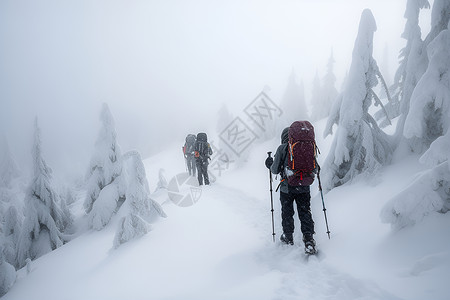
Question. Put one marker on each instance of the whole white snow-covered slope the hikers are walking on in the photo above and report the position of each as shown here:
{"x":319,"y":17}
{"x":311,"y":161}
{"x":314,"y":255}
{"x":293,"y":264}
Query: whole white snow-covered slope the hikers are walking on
{"x":221,"y":247}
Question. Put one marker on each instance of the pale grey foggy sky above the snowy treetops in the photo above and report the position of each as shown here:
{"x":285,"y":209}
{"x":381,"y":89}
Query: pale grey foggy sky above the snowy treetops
{"x":165,"y":67}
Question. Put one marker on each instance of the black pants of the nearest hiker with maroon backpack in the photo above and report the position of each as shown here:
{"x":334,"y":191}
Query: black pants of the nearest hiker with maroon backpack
{"x":303,"y":201}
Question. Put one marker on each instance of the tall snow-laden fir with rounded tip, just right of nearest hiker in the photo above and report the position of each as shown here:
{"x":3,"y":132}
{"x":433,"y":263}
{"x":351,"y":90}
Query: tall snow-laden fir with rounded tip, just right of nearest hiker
{"x":359,"y":145}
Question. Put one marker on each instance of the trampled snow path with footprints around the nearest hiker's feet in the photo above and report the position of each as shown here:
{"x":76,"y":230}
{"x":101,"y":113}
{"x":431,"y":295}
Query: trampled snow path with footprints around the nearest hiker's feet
{"x":295,"y":276}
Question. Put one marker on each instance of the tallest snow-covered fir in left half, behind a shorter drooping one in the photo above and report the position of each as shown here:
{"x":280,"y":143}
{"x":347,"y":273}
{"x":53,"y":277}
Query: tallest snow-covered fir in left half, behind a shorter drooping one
{"x":105,"y":185}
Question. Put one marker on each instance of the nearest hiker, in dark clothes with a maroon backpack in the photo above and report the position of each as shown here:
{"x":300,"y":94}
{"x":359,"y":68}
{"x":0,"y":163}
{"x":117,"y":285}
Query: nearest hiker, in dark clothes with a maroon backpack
{"x":295,"y":161}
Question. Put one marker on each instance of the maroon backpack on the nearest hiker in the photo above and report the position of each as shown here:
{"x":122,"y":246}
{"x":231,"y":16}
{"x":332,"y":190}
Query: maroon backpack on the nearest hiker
{"x":302,"y":150}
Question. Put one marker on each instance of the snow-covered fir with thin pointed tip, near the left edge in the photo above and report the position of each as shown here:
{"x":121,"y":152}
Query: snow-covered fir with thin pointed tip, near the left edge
{"x":44,"y":220}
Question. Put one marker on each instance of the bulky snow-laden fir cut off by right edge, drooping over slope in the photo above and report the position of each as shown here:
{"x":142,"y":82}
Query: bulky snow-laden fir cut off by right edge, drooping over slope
{"x":428,"y":121}
